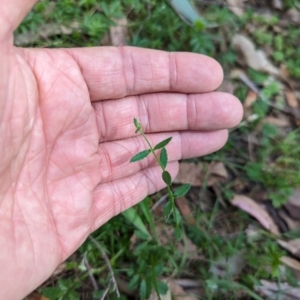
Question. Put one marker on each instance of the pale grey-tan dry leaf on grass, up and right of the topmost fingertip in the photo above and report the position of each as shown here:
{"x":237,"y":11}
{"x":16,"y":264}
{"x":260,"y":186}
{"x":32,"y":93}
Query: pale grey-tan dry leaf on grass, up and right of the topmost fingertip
{"x":256,"y":59}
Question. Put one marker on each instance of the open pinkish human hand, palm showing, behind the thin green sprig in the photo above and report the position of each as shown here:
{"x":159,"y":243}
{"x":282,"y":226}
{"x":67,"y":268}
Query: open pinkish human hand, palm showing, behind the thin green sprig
{"x":67,"y":137}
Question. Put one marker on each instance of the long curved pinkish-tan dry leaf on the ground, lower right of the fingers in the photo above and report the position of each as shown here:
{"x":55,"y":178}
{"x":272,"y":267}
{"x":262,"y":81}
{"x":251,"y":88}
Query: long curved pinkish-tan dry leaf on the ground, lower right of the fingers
{"x":252,"y":208}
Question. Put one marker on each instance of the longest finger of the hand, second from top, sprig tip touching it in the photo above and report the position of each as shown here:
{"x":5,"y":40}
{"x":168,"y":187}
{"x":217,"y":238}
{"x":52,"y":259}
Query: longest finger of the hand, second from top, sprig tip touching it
{"x":161,"y":112}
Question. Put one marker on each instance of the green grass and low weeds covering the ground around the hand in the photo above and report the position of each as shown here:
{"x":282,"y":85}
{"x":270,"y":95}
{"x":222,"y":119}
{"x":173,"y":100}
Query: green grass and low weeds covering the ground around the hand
{"x":139,"y":254}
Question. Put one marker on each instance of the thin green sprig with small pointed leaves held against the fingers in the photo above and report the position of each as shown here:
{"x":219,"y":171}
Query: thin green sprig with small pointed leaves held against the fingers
{"x":171,"y":213}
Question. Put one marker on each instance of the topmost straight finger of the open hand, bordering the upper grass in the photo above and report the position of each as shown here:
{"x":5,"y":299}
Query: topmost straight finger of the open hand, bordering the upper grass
{"x":112,"y":72}
